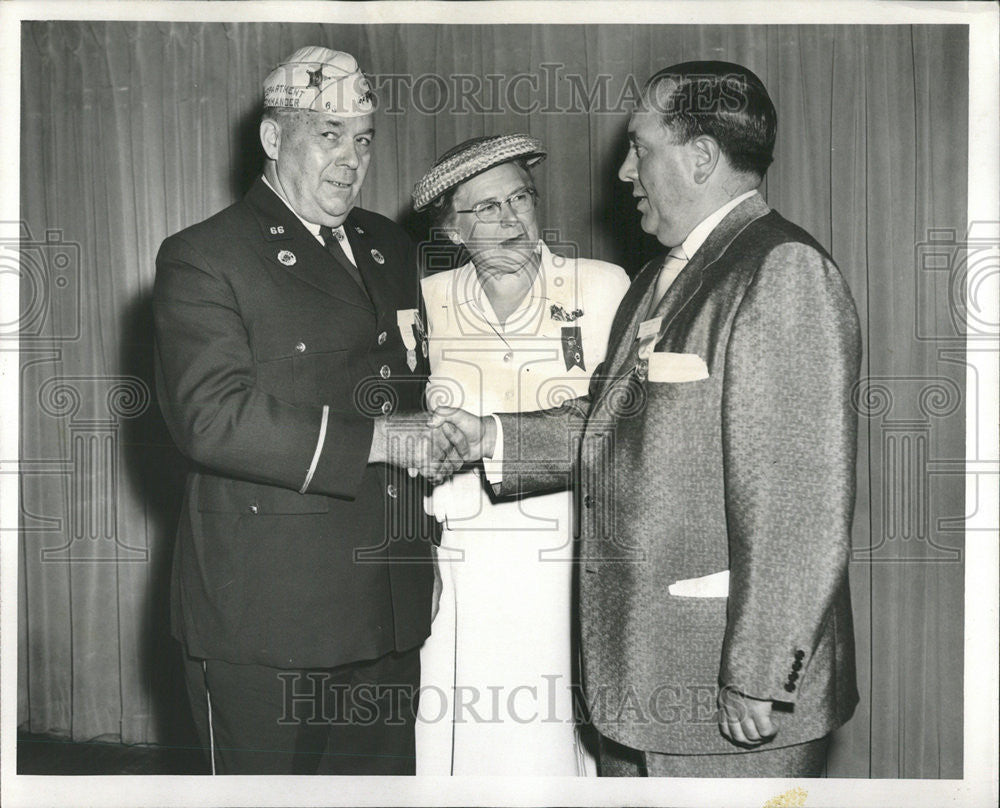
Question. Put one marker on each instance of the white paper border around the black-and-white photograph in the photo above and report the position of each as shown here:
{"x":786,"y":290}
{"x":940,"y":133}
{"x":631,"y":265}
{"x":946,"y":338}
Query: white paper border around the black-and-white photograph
{"x":979,"y":786}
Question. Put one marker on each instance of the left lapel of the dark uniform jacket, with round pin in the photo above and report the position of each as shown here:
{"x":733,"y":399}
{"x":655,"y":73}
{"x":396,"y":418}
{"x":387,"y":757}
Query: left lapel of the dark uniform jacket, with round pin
{"x":288,"y":244}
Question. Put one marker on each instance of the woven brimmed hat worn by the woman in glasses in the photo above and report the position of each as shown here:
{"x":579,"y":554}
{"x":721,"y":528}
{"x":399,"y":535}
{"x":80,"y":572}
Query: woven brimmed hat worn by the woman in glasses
{"x":474,"y":157}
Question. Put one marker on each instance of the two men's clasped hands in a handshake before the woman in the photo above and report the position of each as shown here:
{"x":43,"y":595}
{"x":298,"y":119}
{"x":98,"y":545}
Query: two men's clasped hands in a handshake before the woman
{"x":435,"y":445}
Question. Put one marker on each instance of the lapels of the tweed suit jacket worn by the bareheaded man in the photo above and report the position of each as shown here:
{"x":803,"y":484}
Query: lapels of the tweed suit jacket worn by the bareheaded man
{"x":682,"y":291}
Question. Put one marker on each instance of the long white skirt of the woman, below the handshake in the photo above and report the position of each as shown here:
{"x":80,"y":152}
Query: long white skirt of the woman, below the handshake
{"x":496,"y":692}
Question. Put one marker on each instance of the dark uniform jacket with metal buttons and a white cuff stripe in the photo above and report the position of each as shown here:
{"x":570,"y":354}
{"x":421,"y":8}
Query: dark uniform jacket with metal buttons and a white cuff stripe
{"x":271,"y":359}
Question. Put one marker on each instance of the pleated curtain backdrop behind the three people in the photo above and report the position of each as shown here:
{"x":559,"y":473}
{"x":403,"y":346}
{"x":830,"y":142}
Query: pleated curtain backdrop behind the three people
{"x":132,"y":131}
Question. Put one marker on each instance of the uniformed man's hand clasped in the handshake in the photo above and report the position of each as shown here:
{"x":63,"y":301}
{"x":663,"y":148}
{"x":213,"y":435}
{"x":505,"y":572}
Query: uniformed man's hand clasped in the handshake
{"x":411,"y":441}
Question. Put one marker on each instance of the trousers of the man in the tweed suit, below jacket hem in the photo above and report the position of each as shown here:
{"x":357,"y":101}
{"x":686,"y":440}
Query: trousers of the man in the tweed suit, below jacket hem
{"x":799,"y":760}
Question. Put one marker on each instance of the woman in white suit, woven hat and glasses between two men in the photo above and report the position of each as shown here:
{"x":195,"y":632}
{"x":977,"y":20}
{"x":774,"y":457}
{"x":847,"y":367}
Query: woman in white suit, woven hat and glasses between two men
{"x":516,"y":328}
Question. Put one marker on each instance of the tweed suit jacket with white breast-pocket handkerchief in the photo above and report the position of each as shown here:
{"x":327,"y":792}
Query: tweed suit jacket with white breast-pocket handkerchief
{"x":750,"y":469}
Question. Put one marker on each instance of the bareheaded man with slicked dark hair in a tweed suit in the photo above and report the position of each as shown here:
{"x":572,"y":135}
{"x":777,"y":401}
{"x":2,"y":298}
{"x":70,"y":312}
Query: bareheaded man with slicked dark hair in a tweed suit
{"x":713,"y":460}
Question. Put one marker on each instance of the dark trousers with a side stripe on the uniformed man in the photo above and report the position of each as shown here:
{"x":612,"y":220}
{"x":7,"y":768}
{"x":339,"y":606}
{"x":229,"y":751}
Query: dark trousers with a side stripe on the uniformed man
{"x":352,"y":719}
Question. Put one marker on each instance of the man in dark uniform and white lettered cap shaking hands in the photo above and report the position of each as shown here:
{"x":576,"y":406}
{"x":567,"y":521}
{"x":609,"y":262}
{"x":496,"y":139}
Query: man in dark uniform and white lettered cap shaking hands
{"x":287,"y":363}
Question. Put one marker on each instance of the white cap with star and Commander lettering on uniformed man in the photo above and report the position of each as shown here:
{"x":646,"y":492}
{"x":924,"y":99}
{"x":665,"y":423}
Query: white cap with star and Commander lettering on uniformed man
{"x":321,"y":80}
